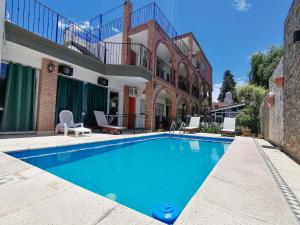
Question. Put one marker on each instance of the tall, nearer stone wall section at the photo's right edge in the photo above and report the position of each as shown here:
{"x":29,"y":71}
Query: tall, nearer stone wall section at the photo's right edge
{"x":291,"y":93}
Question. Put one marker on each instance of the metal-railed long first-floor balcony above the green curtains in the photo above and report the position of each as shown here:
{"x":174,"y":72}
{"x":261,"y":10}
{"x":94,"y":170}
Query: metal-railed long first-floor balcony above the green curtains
{"x":37,"y":18}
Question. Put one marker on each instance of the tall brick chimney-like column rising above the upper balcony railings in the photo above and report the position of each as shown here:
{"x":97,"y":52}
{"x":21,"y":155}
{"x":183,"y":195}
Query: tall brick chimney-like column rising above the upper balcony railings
{"x":125,"y":35}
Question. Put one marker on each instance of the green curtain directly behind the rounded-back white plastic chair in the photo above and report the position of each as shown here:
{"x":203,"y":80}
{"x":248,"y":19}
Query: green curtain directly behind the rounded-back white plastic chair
{"x":69,"y":97}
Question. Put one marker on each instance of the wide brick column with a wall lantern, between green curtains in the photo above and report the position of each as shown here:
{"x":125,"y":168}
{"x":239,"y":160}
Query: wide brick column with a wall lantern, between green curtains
{"x":45,"y":122}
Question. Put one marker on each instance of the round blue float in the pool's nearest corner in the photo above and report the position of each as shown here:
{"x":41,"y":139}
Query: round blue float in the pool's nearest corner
{"x":166,"y":213}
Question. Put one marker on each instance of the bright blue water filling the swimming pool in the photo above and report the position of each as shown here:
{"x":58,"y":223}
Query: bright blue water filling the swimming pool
{"x":140,"y":175}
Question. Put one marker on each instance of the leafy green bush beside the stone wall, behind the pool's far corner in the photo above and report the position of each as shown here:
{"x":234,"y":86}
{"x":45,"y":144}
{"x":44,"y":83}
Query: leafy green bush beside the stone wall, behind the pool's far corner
{"x":253,"y":96}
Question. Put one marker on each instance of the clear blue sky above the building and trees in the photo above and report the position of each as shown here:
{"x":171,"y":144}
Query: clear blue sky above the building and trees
{"x":229,"y":31}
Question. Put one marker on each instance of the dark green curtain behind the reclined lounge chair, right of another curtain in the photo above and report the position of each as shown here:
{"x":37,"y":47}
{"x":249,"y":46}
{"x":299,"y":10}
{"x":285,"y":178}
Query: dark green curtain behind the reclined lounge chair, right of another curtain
{"x":96,"y":101}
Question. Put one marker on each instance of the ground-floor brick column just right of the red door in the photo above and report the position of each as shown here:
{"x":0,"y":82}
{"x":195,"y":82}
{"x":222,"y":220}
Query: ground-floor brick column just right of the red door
{"x":149,"y":123}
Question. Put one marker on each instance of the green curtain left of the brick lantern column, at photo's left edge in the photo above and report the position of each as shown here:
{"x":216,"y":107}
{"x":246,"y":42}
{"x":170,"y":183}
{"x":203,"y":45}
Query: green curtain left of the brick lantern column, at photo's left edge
{"x":18,"y":114}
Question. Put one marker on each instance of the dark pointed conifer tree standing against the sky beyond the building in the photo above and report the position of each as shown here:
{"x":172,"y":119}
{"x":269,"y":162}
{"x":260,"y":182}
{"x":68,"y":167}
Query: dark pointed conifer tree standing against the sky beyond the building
{"x":228,"y":85}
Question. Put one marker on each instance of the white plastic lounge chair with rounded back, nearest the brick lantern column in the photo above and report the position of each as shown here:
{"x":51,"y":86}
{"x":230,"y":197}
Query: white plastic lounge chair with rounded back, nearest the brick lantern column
{"x":66,"y":124}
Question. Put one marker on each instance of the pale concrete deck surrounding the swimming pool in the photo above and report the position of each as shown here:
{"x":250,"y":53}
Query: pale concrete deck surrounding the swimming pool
{"x":240,"y":190}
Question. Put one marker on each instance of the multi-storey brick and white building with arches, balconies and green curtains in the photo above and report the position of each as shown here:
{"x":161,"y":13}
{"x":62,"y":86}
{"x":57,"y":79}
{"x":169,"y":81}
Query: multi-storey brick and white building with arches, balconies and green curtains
{"x":136,"y":69}
